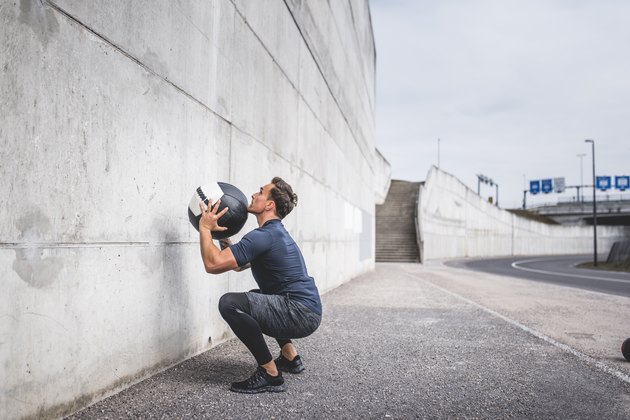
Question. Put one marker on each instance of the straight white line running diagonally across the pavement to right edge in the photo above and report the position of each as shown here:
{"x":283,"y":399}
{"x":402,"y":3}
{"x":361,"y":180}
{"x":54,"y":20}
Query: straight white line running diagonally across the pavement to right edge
{"x":581,"y":356}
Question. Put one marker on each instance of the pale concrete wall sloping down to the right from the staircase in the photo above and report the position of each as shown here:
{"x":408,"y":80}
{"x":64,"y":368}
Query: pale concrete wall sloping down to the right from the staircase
{"x":455,"y":222}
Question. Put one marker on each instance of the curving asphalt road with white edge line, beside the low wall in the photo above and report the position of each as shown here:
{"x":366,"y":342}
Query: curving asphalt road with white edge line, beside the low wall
{"x":560,"y":270}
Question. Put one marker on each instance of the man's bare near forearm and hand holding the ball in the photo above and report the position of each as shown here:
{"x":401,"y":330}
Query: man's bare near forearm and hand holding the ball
{"x":215,"y":260}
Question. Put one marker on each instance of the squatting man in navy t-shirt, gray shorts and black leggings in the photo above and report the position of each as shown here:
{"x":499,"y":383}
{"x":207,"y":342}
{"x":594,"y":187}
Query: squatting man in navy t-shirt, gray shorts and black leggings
{"x":286,"y":306}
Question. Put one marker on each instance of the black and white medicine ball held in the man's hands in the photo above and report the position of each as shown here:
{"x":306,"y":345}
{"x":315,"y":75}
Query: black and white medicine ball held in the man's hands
{"x":231,"y":197}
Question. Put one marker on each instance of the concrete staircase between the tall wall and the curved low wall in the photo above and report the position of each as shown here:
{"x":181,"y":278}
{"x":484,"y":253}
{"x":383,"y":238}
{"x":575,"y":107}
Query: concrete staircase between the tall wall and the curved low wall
{"x":396,"y":225}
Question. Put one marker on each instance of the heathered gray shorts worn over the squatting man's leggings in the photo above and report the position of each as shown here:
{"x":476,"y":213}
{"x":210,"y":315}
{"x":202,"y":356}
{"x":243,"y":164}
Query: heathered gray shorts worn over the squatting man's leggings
{"x":282,"y":317}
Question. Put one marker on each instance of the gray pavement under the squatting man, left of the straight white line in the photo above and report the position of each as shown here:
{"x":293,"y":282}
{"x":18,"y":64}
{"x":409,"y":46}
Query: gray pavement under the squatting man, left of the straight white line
{"x":396,"y":343}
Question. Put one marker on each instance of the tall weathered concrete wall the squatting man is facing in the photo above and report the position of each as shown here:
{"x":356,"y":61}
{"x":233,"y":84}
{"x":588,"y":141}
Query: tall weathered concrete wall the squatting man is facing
{"x":111,"y":114}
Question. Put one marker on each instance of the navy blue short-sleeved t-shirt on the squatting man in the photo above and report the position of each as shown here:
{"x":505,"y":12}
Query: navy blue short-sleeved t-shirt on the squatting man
{"x":277,"y":264}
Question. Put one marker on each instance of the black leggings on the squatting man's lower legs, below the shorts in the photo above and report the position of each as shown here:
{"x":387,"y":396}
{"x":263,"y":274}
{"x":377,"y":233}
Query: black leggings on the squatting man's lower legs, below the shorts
{"x":236,"y":311}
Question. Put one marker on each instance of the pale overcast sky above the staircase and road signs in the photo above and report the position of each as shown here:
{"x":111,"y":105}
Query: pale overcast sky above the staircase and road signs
{"x":511,"y":88}
